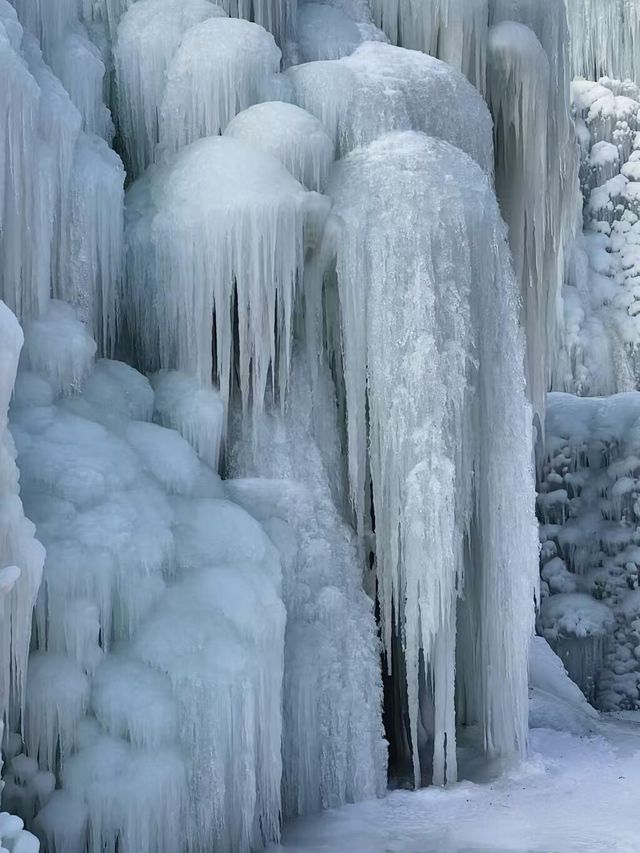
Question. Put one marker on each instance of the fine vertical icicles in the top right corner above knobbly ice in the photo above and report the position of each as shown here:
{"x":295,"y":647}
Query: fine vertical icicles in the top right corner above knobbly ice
{"x":605,"y":38}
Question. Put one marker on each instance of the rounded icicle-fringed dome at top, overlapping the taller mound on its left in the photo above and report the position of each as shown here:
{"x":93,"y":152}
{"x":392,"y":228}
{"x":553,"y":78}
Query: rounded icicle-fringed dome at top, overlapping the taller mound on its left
{"x":218,"y":70}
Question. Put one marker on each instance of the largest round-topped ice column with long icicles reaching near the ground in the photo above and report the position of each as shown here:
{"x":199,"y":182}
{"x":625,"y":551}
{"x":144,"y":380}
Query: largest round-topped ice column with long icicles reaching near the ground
{"x":435,"y":397}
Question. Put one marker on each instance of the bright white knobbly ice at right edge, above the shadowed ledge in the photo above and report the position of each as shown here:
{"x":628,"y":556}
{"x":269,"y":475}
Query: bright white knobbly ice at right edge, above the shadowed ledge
{"x":601,"y":307}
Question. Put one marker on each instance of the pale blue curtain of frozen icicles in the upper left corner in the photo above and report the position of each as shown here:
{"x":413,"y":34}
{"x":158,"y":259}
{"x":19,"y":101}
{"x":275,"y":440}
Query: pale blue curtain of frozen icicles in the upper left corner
{"x":62,"y":190}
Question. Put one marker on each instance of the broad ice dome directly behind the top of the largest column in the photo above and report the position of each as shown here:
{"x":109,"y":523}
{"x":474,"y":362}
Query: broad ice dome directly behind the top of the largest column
{"x":380,"y":88}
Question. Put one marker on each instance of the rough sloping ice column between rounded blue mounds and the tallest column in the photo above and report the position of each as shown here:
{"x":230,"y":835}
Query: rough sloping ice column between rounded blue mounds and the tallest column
{"x":333,"y":749}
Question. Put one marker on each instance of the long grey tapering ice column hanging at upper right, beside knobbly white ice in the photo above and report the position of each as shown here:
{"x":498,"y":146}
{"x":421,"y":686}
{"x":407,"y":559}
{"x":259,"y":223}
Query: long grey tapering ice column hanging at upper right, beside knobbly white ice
{"x":528,"y":92}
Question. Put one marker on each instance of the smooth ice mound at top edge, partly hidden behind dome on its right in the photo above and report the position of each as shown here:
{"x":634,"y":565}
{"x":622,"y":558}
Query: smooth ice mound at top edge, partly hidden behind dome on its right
{"x":149,"y":34}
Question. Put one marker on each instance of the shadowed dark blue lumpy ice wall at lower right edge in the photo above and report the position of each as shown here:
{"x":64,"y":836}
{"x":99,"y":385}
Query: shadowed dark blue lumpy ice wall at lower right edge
{"x":588,"y":508}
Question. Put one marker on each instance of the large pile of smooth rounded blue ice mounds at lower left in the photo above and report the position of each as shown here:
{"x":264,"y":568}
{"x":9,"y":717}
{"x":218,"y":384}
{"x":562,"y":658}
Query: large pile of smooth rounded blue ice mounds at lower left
{"x":154,"y":692}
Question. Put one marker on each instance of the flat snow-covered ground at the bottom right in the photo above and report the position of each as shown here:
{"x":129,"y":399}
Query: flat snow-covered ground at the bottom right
{"x":574,"y":793}
